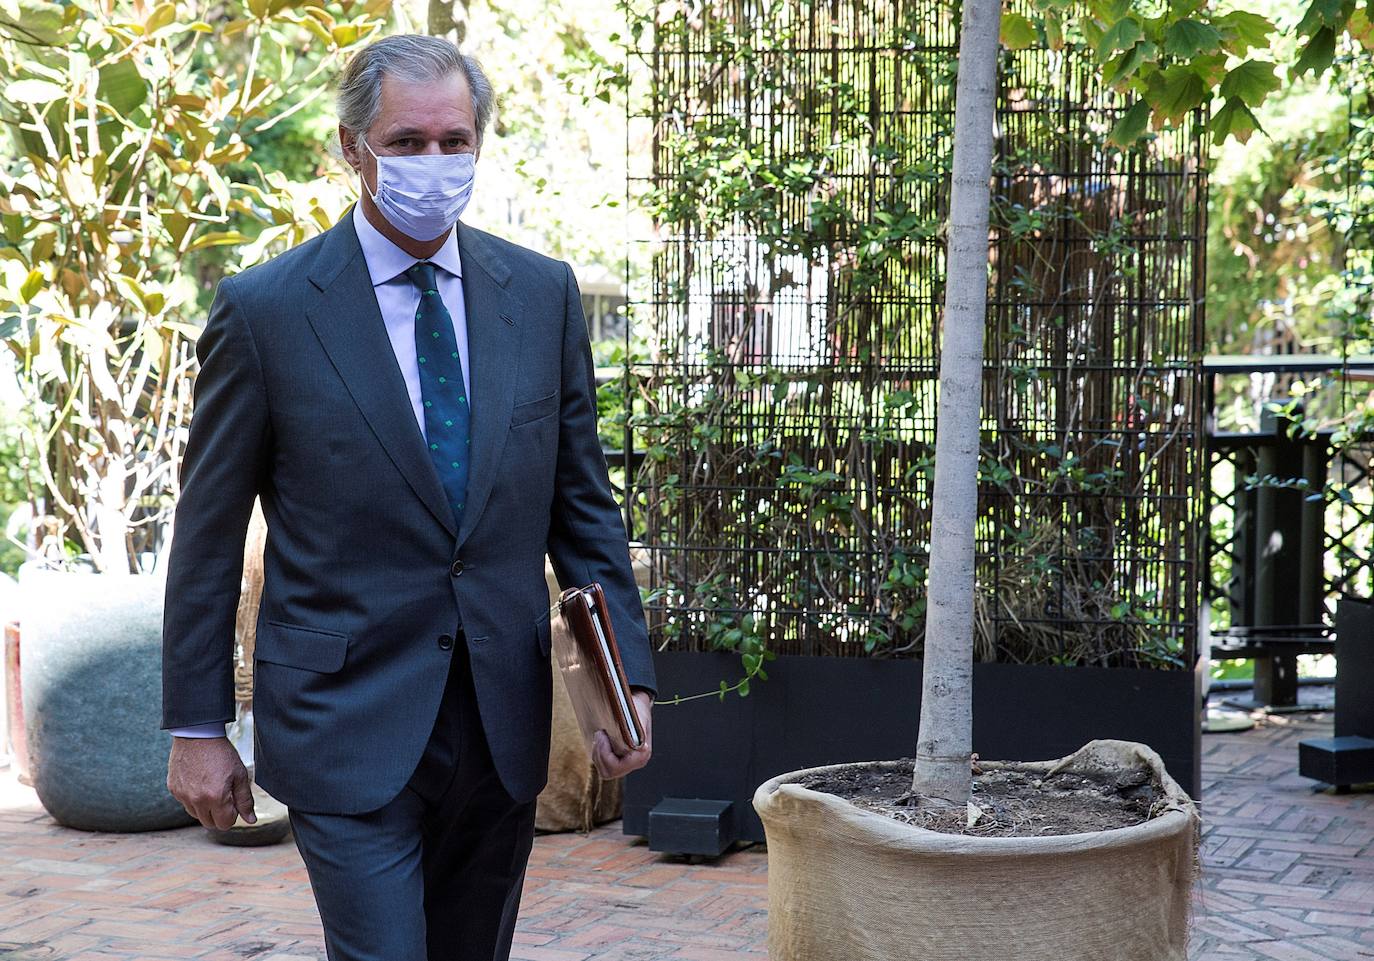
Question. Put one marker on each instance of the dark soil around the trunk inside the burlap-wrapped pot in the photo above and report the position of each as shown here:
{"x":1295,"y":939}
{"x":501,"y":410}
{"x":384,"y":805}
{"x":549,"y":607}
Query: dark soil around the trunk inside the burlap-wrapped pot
{"x":1009,"y":801}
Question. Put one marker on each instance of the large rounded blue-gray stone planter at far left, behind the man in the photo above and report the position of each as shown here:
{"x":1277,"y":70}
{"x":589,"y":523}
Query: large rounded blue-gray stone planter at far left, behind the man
{"x":93,"y":700}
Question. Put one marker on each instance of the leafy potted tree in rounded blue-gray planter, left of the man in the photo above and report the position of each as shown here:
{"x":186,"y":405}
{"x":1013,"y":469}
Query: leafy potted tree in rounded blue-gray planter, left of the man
{"x":119,"y":197}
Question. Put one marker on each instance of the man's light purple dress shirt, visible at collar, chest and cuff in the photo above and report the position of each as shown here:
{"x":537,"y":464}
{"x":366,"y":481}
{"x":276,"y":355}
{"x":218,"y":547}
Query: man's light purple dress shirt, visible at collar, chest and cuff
{"x":398,"y":299}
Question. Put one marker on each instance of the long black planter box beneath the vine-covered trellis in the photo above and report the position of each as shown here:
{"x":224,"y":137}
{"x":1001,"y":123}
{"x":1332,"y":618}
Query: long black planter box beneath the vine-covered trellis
{"x":831,"y":710}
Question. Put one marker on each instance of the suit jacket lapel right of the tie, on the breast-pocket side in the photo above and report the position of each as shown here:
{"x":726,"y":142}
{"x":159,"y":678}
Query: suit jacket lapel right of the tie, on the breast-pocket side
{"x":494,"y":342}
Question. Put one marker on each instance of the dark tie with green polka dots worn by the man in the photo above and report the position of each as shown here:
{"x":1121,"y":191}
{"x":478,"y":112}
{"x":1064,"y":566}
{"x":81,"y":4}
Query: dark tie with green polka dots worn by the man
{"x":442,"y":388}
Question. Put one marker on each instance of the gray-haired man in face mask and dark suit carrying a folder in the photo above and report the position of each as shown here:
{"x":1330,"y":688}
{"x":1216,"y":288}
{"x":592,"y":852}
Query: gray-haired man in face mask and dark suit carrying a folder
{"x":414,"y":404}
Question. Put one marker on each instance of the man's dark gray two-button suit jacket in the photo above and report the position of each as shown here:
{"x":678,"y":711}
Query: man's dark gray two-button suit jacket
{"x":300,"y":401}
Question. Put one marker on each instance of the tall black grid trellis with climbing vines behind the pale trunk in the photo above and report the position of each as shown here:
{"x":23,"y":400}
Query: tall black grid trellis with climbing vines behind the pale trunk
{"x":785,"y":394}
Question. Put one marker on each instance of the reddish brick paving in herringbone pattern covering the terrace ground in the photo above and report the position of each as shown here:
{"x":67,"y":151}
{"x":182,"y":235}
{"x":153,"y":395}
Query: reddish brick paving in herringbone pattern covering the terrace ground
{"x":1288,"y":876}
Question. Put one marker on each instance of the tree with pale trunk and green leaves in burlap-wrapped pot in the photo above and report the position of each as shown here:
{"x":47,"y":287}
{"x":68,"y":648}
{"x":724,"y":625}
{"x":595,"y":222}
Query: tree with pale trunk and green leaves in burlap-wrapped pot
{"x":923,"y":881}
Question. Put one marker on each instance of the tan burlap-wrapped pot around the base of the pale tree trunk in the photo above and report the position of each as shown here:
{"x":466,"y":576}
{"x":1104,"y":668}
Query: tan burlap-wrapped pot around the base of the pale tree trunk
{"x":846,"y":885}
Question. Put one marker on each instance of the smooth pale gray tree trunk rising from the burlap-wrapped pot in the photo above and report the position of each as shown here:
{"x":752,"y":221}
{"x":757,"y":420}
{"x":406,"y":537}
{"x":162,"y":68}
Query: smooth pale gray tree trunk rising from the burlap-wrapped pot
{"x":945,"y":744}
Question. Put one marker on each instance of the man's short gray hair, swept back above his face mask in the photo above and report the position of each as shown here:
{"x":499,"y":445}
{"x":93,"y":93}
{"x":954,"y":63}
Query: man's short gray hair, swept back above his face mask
{"x":414,"y":58}
